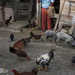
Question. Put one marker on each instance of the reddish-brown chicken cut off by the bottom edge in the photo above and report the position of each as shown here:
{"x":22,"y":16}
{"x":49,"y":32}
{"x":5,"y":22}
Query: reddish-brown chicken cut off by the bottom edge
{"x":33,"y":72}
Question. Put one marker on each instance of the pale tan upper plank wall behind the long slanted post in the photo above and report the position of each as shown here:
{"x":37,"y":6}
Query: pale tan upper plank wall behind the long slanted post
{"x":69,"y":8}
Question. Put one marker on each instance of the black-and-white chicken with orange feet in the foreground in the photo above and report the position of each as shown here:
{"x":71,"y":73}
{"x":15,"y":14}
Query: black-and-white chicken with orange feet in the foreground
{"x":45,"y":59}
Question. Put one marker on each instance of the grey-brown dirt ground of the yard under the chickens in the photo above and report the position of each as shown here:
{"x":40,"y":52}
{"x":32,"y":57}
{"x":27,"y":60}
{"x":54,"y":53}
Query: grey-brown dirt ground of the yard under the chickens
{"x":61,"y":65}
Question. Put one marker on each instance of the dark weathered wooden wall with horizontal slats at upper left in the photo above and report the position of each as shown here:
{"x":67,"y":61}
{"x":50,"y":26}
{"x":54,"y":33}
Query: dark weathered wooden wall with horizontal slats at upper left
{"x":19,"y":8}
